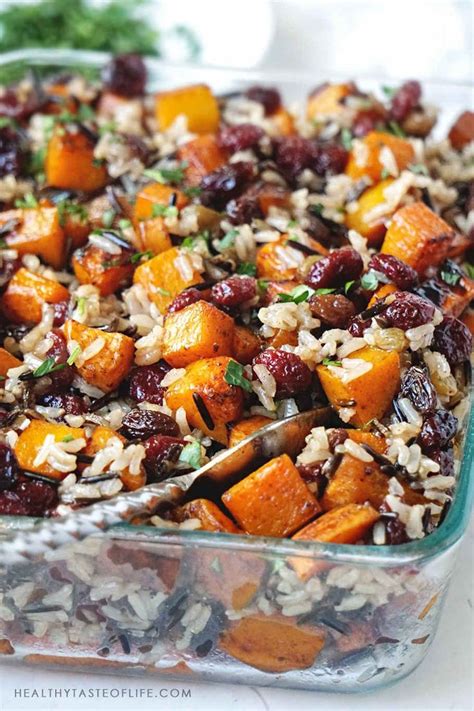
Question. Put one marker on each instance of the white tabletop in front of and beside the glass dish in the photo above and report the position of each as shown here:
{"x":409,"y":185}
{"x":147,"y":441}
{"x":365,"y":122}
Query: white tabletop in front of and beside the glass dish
{"x":444,"y":681}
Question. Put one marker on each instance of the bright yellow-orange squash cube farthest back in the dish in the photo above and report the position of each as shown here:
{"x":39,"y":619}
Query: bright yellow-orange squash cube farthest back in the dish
{"x":196,"y":102}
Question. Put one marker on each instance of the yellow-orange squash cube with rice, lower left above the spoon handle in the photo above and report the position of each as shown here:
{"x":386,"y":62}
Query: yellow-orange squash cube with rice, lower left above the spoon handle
{"x":31,"y":441}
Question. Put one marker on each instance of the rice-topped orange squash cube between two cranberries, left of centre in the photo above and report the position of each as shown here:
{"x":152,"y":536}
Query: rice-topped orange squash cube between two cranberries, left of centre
{"x":111,"y":364}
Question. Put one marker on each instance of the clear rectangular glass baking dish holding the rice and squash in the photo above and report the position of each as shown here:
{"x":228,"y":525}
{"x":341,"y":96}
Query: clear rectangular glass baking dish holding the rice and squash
{"x":196,"y":605}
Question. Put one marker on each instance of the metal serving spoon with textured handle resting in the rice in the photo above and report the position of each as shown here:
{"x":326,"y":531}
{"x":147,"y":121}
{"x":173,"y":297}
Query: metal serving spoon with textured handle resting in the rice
{"x":227,"y":467}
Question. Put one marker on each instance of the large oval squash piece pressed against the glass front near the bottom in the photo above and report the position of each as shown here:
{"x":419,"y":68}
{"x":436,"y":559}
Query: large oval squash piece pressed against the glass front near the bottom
{"x":273,"y":644}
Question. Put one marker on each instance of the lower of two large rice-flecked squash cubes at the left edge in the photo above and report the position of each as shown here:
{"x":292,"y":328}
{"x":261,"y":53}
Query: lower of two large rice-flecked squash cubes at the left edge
{"x":26,"y":293}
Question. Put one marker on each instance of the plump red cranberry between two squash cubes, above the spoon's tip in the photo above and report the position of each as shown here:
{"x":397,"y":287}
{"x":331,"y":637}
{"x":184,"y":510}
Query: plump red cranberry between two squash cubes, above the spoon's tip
{"x":291,"y":374}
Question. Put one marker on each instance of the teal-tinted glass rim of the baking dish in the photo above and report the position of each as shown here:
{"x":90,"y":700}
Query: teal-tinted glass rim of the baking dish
{"x":409,"y":553}
